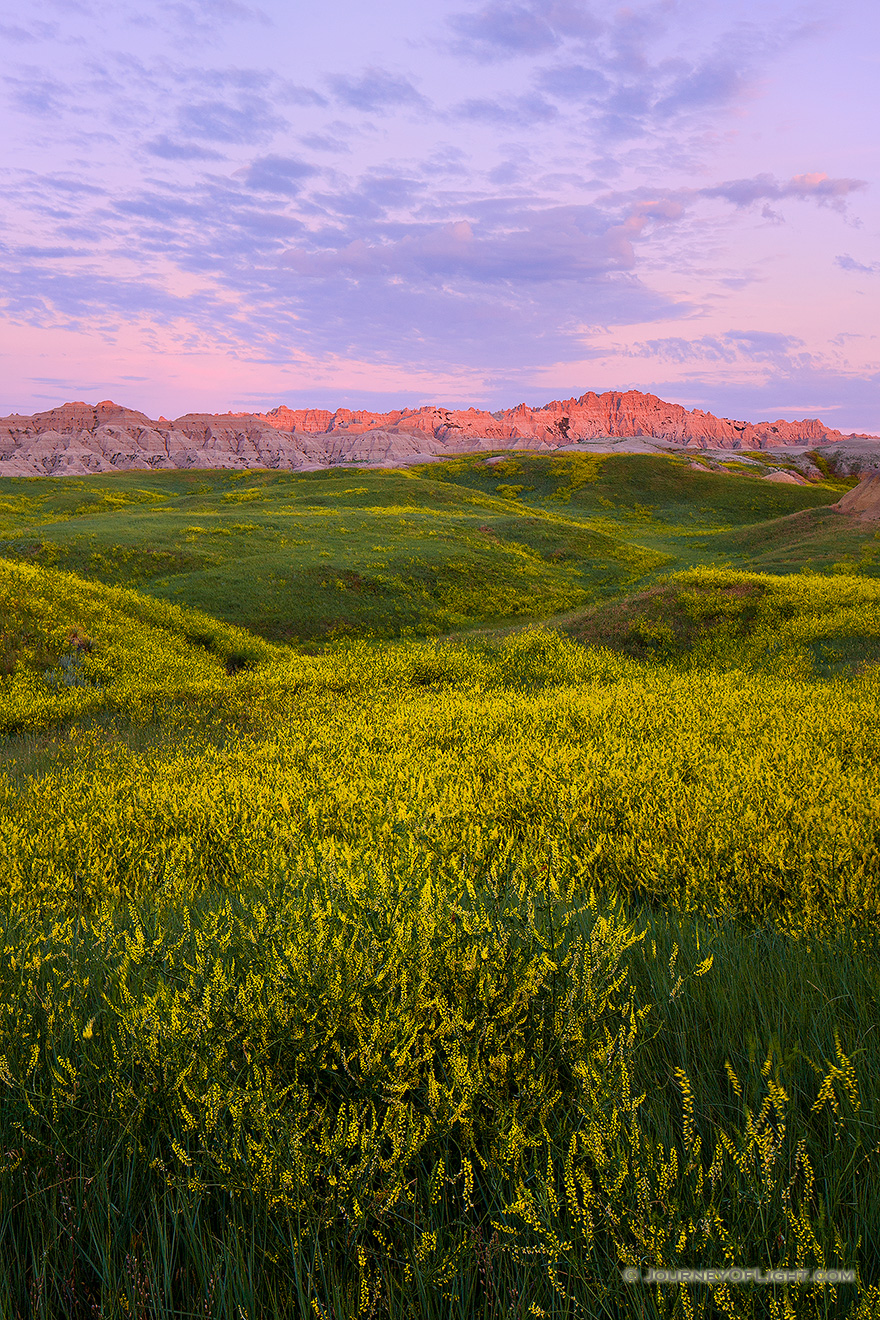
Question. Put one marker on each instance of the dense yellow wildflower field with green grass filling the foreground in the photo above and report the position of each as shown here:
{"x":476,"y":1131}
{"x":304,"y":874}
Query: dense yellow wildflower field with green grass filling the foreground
{"x":441,"y":979}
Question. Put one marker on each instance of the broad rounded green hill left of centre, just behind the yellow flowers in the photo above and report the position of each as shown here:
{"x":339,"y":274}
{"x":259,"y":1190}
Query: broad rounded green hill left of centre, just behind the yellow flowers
{"x":321,"y":556}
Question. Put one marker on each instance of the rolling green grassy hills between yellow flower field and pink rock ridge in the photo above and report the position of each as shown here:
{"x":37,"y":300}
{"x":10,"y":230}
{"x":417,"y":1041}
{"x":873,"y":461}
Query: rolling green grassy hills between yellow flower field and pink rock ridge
{"x":449,"y":547}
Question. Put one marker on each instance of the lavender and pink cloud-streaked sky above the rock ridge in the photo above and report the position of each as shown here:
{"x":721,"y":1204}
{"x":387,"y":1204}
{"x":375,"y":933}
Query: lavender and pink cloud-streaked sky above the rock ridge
{"x":213,"y":207}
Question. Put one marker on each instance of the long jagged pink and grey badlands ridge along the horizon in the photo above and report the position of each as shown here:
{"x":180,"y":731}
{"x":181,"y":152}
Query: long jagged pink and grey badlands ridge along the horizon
{"x":80,"y":439}
